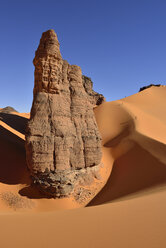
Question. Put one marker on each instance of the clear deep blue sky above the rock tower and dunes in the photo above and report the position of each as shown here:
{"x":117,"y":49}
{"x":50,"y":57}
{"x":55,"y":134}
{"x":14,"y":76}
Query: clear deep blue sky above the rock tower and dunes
{"x":120,"y":44}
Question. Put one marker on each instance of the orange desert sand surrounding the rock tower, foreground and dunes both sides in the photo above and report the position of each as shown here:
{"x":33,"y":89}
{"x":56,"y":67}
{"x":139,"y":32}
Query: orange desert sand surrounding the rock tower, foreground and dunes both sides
{"x":129,"y":207}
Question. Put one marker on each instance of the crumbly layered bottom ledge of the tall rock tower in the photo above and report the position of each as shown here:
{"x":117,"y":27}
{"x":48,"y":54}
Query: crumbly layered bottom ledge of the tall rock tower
{"x":62,"y":183}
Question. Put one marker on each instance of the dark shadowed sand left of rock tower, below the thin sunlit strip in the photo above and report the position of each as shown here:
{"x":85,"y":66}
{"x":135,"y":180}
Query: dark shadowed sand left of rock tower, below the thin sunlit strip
{"x":13,"y":168}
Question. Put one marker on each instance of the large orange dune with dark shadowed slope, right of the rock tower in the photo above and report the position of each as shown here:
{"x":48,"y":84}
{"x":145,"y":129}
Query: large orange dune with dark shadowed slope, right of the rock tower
{"x":137,"y":157}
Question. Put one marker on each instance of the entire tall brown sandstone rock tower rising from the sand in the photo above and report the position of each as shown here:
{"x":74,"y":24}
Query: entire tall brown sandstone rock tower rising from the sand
{"x":63,"y":144}
